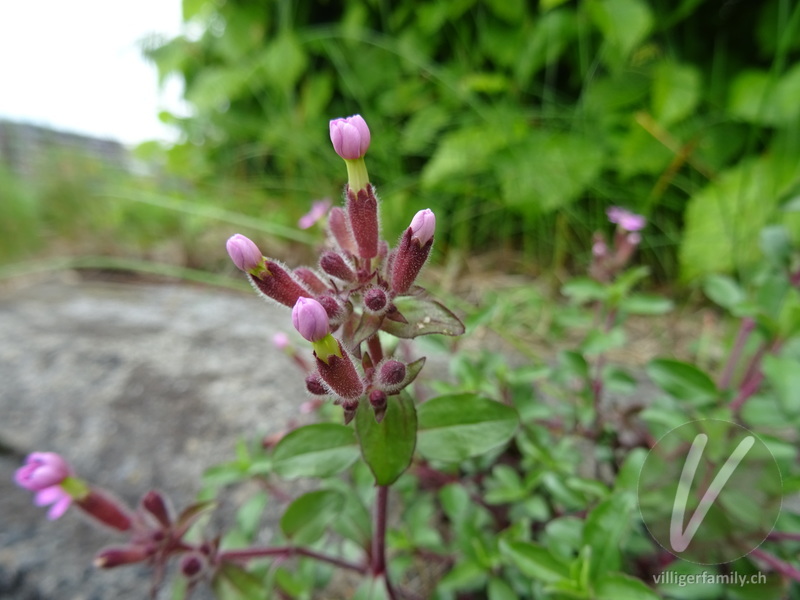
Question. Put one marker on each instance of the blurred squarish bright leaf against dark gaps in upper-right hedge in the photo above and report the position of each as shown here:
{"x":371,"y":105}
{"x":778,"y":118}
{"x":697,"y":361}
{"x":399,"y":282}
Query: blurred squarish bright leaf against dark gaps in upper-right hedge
{"x":676,"y":92}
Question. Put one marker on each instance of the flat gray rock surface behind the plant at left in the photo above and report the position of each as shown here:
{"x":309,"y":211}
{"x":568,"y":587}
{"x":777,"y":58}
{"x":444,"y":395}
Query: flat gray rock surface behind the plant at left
{"x":139,"y":386}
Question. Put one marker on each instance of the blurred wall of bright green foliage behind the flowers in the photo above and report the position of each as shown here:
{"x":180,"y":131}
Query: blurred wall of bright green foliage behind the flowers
{"x":519,"y":121}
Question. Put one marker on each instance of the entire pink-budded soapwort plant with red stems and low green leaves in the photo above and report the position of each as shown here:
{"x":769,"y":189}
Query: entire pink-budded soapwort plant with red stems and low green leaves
{"x":512,"y":481}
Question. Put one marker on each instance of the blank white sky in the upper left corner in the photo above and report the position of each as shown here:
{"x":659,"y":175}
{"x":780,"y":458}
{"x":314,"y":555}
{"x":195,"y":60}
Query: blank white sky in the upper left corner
{"x":76,"y":65}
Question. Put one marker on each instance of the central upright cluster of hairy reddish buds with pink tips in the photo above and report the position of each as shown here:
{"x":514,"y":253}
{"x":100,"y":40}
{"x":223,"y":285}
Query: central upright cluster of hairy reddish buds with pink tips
{"x":351,"y":291}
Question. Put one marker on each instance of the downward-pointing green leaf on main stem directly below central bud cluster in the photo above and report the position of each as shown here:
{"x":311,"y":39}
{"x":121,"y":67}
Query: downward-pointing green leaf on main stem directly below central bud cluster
{"x":388,"y":446}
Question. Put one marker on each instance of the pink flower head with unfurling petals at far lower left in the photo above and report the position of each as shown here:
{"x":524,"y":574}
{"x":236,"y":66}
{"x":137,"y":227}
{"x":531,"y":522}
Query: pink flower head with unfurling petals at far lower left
{"x":43,"y":473}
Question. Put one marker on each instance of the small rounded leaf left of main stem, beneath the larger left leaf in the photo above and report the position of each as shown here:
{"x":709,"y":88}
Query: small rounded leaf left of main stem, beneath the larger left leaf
{"x":307,"y":517}
